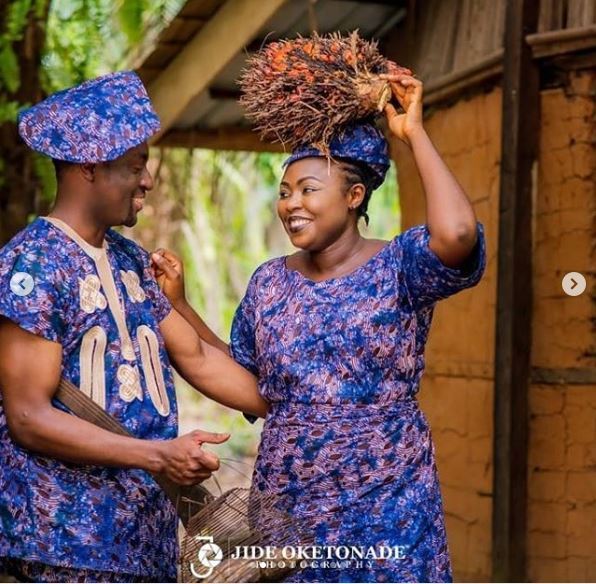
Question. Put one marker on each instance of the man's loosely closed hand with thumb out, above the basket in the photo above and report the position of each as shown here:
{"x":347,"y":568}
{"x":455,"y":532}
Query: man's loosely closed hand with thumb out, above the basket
{"x":185,"y":462}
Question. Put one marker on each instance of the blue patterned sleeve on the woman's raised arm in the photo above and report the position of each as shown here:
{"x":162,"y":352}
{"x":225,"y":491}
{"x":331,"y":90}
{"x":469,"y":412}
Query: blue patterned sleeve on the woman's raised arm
{"x":427,"y":278}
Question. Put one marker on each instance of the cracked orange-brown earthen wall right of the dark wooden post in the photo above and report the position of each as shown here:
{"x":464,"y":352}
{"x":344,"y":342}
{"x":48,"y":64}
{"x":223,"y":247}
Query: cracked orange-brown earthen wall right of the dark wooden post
{"x":562,"y":456}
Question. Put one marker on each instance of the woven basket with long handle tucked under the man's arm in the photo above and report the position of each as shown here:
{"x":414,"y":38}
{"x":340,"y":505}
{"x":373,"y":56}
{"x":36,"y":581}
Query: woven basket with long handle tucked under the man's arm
{"x":237,"y":518}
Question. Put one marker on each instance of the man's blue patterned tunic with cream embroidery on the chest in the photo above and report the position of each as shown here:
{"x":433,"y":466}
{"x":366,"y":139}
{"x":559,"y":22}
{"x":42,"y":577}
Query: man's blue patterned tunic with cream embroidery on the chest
{"x":104,"y":307}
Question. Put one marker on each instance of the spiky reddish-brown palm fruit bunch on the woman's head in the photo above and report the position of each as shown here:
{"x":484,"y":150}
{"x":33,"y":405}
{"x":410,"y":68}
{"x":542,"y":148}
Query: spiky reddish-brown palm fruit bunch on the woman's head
{"x":303,"y":90}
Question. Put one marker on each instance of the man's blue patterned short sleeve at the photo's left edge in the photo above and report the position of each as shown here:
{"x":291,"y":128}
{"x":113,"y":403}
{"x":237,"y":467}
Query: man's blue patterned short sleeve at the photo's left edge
{"x":32,"y":296}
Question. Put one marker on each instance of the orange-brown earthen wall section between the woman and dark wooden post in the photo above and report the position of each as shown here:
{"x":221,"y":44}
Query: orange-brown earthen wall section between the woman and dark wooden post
{"x":457,"y":389}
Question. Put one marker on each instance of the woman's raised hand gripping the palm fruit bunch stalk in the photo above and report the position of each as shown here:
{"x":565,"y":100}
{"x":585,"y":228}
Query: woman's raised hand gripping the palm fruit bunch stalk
{"x":408,"y":92}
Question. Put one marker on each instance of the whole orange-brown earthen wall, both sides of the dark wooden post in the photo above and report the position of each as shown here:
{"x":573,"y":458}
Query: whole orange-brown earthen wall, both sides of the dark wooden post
{"x":457,"y":390}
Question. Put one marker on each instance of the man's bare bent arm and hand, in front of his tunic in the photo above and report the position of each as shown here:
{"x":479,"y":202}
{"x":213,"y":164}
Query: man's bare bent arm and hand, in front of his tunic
{"x":35,"y":424}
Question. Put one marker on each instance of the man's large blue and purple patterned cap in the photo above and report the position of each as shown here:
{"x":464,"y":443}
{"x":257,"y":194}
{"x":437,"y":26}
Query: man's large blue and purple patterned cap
{"x":96,"y":121}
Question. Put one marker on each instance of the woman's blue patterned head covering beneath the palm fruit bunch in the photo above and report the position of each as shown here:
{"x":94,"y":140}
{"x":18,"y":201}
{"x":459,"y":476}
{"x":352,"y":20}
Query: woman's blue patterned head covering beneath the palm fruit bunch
{"x":361,"y":142}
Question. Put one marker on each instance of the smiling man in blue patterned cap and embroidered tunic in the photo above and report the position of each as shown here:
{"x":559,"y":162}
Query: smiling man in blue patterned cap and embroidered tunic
{"x":78,"y":300}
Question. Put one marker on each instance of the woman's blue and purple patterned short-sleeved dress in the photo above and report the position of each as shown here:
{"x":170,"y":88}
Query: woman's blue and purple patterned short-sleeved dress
{"x":345,"y":445}
